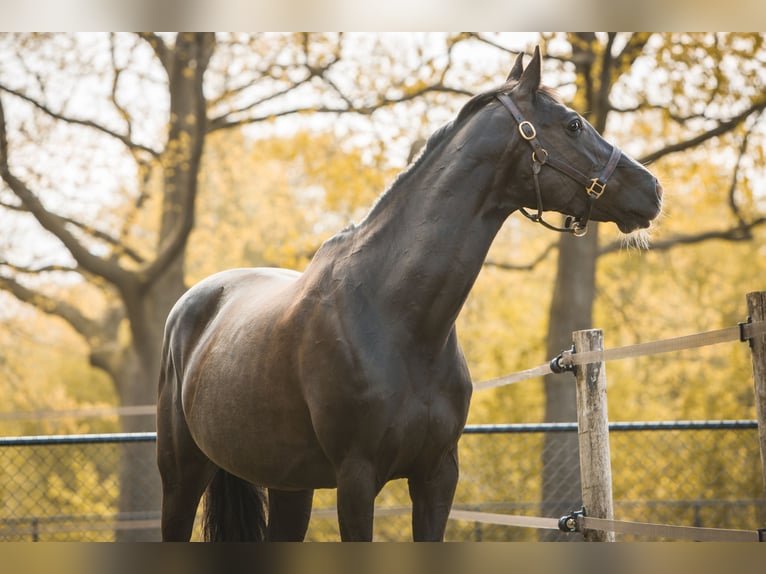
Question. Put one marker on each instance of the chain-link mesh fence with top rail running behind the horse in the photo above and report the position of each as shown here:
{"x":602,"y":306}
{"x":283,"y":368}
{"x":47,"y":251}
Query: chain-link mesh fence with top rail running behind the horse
{"x":69,"y":488}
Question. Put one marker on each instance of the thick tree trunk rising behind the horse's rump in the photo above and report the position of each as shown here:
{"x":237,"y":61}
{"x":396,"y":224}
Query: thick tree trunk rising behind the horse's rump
{"x":149,"y":301}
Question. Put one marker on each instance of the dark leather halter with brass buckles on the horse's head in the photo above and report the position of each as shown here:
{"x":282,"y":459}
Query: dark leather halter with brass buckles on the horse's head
{"x":594,"y":186}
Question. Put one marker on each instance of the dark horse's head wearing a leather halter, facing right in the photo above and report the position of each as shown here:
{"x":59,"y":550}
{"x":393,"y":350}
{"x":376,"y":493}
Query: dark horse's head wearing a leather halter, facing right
{"x":570,"y":167}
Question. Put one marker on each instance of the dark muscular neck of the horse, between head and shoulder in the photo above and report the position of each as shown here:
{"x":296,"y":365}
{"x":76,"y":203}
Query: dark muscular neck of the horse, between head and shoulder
{"x":421,"y":248}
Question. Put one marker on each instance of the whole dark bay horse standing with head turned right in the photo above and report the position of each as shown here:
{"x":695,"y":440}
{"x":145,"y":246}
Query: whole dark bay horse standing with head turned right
{"x":350,"y":374}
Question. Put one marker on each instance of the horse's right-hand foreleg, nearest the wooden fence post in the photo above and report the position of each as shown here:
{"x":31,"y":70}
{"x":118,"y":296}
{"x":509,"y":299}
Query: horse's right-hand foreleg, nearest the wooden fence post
{"x":432,"y":497}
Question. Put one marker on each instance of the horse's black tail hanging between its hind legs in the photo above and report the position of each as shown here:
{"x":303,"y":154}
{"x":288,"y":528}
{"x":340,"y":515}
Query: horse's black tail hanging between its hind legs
{"x":235,"y":510}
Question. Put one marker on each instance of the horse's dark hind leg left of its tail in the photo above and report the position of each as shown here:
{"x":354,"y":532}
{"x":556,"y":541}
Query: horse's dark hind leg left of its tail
{"x":184,"y":469}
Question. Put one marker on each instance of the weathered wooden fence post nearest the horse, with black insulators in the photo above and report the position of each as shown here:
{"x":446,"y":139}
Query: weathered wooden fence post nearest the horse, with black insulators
{"x":593,"y":434}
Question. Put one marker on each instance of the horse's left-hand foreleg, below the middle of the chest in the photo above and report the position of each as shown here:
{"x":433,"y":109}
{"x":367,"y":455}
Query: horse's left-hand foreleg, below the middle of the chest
{"x":357,"y":490}
